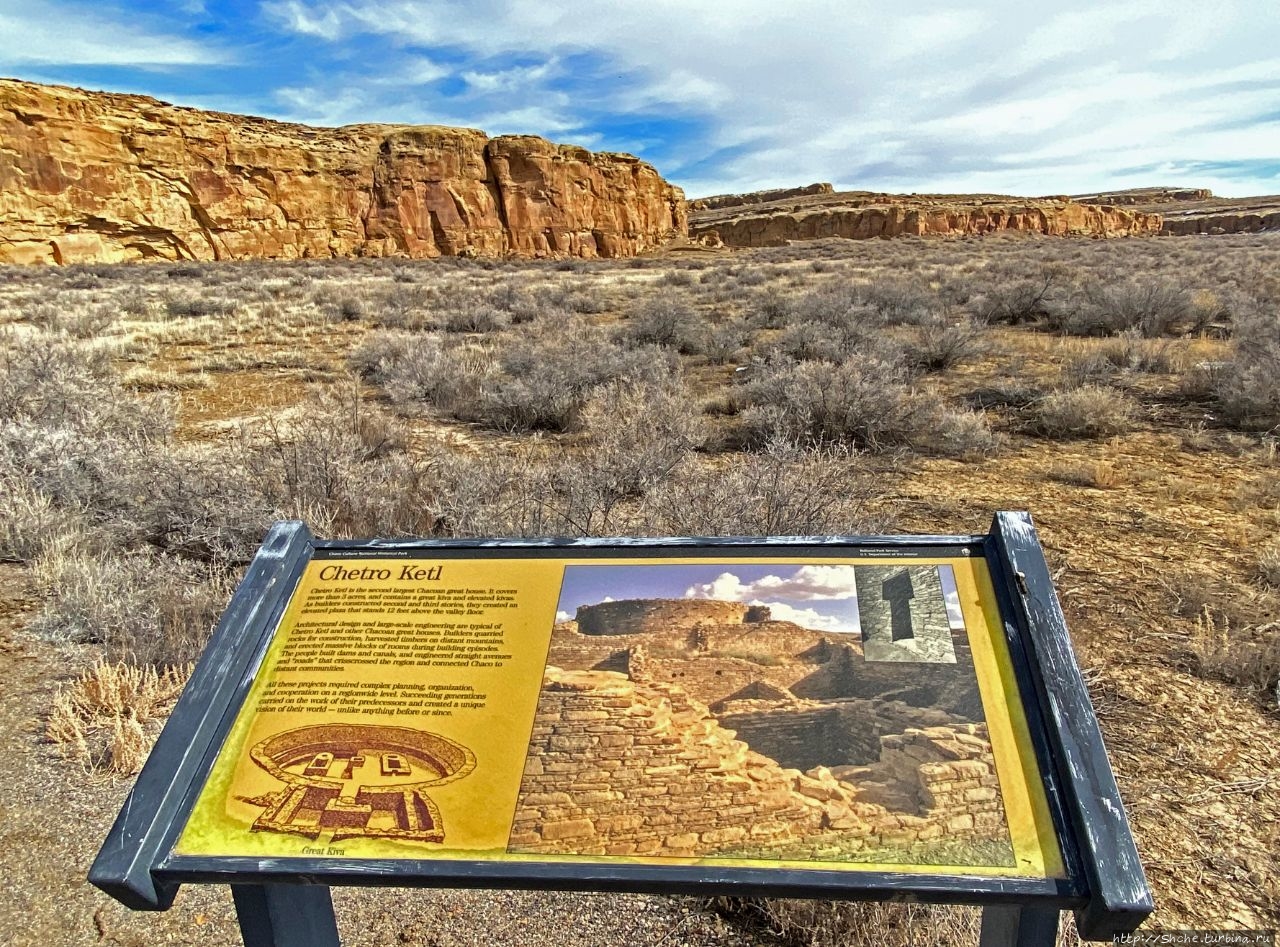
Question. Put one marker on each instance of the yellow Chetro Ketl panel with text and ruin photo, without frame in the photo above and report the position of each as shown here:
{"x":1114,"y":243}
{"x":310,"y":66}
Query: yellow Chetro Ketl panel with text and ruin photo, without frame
{"x":853,"y":712}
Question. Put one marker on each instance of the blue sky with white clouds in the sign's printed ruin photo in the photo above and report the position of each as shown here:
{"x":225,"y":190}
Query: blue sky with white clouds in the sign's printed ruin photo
{"x":824,"y":598}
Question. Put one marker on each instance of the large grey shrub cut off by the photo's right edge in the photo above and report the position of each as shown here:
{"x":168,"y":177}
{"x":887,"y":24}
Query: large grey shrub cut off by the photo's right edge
{"x":1247,"y":387}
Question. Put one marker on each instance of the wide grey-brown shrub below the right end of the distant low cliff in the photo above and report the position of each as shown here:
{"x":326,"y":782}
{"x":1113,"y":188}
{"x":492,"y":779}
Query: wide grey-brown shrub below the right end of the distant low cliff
{"x":1153,"y":308}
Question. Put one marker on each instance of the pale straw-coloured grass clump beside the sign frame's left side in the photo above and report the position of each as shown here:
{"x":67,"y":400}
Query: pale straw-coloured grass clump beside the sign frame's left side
{"x":108,"y":717}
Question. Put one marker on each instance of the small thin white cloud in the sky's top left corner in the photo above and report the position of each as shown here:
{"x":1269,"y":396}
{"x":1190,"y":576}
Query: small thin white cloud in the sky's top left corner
{"x":58,"y":34}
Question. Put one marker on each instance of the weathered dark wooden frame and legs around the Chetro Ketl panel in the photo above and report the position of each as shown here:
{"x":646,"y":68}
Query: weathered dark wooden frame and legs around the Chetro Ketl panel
{"x":286,"y":900}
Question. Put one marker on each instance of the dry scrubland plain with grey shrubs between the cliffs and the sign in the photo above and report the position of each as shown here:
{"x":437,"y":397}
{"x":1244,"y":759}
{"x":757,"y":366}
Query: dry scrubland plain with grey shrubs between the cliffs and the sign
{"x":154,"y":420}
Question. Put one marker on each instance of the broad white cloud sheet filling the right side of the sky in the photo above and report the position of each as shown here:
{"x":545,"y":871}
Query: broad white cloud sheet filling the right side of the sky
{"x":995,"y":97}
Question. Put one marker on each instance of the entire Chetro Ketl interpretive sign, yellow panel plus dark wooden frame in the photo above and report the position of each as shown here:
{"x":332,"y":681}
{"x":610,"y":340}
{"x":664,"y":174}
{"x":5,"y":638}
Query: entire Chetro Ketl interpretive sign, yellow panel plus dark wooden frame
{"x":833,"y":717}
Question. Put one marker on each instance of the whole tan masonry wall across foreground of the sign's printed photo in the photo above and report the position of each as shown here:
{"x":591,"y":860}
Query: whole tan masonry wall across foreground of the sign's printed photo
{"x":620,"y":767}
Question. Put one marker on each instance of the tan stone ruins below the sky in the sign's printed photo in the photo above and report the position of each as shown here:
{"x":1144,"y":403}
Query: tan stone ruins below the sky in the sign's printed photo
{"x":708,"y":729}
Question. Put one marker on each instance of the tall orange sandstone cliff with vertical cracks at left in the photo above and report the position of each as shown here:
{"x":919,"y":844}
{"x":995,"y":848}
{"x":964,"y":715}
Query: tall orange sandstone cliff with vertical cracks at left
{"x":98,"y":177}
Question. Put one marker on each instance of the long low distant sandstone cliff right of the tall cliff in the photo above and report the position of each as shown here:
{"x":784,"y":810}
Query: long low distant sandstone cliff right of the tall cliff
{"x":863,"y":217}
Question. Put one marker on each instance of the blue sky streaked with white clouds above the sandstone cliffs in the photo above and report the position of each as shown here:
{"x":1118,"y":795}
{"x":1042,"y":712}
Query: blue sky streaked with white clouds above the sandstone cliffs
{"x":730,"y":95}
